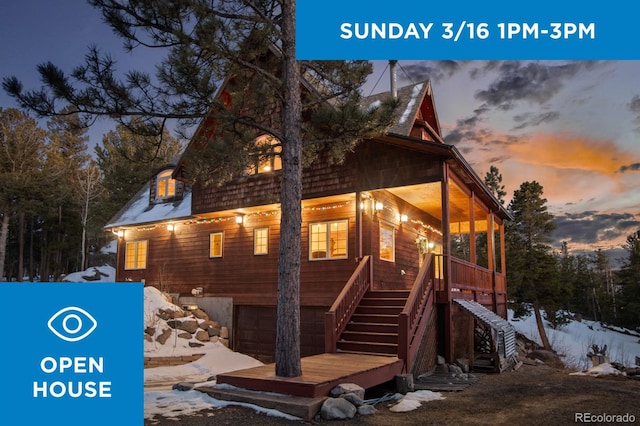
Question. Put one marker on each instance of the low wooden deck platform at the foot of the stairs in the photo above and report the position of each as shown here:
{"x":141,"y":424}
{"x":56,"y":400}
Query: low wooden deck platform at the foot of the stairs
{"x":320,"y":374}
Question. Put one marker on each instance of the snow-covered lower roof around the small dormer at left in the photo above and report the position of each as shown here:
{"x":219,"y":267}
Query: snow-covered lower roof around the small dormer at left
{"x":139,"y":211}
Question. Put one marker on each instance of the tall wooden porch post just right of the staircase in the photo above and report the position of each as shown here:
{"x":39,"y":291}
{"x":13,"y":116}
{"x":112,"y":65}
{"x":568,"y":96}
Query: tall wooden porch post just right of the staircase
{"x":446,"y":265}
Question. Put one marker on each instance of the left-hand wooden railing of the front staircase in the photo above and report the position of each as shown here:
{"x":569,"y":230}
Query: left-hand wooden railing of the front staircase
{"x":336,"y":318}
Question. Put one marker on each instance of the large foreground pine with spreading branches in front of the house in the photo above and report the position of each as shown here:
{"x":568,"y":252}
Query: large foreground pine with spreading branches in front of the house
{"x":251,"y":47}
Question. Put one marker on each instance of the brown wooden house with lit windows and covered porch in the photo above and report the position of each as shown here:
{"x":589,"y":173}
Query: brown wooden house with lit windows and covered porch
{"x":391,"y":239}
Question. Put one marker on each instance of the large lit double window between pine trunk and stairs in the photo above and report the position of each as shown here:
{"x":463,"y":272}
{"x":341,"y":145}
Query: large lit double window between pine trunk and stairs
{"x":328,"y":240}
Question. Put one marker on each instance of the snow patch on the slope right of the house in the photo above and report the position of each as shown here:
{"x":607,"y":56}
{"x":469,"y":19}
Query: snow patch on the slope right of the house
{"x":575,"y":340}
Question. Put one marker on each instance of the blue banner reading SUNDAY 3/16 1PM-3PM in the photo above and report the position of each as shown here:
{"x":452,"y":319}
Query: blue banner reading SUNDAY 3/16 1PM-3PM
{"x":416,"y":30}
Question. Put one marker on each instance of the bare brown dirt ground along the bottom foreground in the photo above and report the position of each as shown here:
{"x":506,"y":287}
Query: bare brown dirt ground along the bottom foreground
{"x":531,"y":395}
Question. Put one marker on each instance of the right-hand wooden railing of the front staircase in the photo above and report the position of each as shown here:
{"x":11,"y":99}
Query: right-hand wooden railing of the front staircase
{"x":411,"y":321}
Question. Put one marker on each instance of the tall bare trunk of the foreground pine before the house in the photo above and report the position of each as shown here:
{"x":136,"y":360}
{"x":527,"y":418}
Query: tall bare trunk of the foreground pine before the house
{"x":288,"y":362}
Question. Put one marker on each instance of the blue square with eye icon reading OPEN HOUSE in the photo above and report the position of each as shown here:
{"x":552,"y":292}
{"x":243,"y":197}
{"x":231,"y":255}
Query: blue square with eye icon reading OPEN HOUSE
{"x":72,"y":353}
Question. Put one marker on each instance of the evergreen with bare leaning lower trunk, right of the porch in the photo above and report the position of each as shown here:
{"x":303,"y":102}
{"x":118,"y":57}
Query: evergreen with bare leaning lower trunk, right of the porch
{"x":531,"y":271}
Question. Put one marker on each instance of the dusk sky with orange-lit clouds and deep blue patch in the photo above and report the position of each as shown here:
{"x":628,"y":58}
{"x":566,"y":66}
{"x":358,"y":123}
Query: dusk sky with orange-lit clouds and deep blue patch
{"x":572,"y":126}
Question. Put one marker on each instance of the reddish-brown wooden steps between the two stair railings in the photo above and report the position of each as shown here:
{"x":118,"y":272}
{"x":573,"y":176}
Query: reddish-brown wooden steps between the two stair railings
{"x":373,"y":327}
